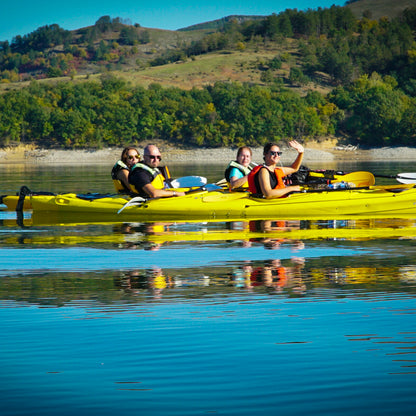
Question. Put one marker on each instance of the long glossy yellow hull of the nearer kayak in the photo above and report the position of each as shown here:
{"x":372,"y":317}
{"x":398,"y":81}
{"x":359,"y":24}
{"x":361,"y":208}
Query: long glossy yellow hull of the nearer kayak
{"x":387,"y":201}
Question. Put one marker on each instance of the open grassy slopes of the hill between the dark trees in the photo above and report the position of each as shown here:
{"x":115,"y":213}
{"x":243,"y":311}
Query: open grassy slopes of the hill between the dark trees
{"x":131,"y":62}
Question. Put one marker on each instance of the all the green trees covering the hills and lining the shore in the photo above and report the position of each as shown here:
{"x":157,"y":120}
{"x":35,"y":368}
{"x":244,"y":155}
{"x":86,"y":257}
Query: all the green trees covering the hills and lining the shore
{"x":370,"y":64}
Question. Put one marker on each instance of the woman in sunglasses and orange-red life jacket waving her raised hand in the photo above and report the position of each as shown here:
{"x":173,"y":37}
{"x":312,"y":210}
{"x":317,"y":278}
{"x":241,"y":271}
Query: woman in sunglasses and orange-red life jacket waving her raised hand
{"x":267,"y":179}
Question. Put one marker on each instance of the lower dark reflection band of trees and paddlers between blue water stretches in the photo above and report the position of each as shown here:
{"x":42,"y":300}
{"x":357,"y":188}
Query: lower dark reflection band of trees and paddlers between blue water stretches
{"x":295,"y":277}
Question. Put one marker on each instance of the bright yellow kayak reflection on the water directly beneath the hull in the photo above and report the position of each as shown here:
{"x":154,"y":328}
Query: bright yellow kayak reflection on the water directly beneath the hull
{"x":155,"y":235}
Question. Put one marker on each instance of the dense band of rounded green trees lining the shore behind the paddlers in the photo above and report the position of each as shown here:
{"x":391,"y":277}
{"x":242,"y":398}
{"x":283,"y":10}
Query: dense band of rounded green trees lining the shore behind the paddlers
{"x":95,"y":114}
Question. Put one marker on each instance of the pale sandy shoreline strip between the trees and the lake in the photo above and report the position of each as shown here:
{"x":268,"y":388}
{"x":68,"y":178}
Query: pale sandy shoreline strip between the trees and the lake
{"x":27,"y":155}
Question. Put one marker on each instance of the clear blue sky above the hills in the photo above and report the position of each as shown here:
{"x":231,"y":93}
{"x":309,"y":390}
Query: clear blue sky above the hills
{"x":24,"y":16}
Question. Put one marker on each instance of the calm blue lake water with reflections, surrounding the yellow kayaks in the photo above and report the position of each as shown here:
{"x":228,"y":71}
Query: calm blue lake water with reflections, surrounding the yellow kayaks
{"x":206,"y":318}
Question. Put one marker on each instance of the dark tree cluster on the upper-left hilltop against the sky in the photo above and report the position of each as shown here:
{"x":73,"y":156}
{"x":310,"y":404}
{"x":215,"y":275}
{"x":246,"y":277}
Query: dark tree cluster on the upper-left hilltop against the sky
{"x":51,"y":51}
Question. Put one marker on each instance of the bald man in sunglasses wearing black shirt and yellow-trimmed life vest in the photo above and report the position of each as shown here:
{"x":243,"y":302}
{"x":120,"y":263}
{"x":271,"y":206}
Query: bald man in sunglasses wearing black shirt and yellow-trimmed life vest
{"x":147,"y":179}
